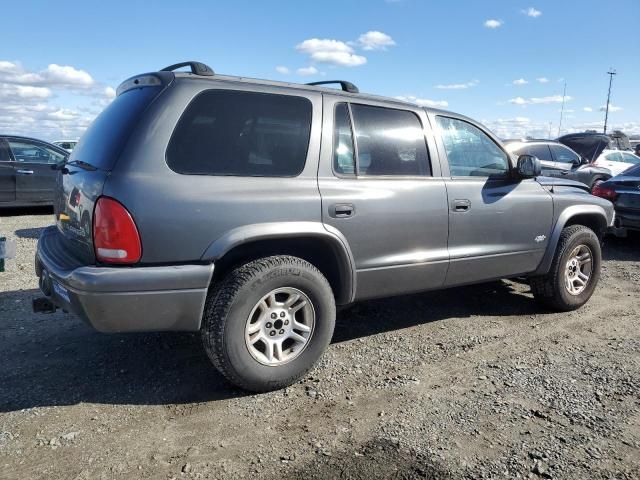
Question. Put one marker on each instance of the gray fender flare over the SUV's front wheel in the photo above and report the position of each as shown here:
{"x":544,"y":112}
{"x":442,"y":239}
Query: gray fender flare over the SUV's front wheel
{"x":591,"y":216}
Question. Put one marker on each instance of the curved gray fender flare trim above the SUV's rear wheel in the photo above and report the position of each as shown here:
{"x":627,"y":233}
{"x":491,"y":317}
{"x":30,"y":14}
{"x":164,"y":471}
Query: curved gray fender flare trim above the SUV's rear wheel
{"x":291,"y":230}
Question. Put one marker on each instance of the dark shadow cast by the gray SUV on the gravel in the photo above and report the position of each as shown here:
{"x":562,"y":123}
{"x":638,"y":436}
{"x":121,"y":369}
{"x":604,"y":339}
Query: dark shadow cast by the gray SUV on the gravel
{"x":55,"y":360}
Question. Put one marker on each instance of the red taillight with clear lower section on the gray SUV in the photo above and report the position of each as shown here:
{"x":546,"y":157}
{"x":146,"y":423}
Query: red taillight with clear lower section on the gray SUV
{"x":115,"y":235}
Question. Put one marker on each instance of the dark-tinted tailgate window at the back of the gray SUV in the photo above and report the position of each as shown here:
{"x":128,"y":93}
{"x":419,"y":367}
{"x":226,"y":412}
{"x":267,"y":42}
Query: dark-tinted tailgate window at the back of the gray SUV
{"x":104,"y":139}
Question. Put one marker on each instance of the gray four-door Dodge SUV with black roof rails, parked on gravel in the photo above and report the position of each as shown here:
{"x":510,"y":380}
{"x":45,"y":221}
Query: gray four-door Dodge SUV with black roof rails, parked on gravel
{"x":248,"y":209}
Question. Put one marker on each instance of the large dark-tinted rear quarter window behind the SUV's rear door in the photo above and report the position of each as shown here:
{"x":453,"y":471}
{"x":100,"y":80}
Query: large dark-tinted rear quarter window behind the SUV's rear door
{"x":224,"y":132}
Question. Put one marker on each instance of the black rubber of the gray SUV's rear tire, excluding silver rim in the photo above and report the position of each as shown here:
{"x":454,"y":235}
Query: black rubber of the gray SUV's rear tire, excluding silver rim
{"x":230,"y":303}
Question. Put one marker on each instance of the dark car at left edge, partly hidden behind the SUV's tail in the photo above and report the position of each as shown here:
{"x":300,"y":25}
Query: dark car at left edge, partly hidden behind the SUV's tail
{"x":27,"y":171}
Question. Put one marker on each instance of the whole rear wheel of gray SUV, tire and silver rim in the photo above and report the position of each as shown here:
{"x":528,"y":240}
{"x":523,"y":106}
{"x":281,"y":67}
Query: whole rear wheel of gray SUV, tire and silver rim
{"x":268,"y":322}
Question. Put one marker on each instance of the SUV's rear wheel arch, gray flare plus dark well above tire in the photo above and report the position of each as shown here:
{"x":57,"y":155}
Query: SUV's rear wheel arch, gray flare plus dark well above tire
{"x":323,"y":246}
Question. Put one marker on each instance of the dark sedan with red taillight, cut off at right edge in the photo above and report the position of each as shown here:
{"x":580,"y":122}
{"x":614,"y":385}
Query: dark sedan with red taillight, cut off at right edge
{"x":624,"y":191}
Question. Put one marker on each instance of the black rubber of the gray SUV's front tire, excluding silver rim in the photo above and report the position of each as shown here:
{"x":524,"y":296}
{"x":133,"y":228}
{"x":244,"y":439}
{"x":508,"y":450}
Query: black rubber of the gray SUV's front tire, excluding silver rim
{"x":550,"y":289}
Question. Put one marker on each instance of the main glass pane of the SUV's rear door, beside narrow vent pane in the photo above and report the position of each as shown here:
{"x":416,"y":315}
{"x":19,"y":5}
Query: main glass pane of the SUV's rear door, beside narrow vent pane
{"x":389,"y":142}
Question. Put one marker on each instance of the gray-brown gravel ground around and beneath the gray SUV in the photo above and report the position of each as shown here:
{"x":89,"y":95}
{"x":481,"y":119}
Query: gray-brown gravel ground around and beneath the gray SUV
{"x":474,"y":382}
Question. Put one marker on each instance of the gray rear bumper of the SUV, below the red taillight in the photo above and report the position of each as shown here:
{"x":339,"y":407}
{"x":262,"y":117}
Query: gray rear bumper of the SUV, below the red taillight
{"x":123,"y":299}
